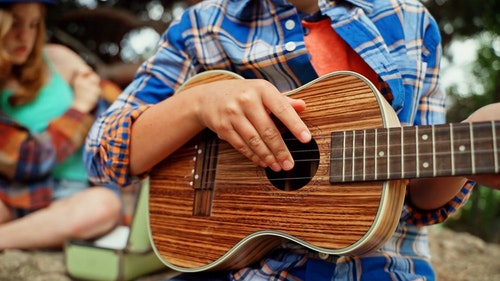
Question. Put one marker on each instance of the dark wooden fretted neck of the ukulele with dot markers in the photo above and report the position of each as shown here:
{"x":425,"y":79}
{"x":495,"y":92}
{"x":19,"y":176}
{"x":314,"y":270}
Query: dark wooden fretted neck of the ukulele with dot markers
{"x":457,"y":149}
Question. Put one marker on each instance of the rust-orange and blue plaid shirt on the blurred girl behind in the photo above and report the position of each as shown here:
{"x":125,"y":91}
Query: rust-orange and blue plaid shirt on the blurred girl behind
{"x":27,"y":159}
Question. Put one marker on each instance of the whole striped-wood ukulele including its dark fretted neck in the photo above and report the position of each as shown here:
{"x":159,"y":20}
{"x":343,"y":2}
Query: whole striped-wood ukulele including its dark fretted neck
{"x":210,"y":208}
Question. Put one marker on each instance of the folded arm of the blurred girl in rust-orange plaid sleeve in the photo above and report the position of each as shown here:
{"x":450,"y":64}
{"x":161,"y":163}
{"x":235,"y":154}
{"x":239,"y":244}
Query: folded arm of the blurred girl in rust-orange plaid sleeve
{"x":29,"y":156}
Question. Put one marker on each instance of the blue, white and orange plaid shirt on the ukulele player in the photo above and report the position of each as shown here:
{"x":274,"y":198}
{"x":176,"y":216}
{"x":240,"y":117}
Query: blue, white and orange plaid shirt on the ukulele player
{"x":398,"y":39}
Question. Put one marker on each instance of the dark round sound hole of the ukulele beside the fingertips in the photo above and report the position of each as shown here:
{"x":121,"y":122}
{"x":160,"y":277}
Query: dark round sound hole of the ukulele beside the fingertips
{"x":306,"y":157}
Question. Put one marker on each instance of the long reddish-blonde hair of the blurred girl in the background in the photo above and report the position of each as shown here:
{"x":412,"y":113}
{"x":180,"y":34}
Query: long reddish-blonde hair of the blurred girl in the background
{"x":30,"y":75}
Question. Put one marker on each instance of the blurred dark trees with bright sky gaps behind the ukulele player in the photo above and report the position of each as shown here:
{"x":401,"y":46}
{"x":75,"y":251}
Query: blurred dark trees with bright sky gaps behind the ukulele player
{"x":115,"y":36}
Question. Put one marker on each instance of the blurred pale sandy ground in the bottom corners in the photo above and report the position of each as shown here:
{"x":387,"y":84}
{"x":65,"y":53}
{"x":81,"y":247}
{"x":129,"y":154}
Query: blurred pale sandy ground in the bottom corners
{"x":456,"y":256}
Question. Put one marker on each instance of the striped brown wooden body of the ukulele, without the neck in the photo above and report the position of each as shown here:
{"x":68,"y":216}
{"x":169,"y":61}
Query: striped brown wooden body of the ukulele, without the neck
{"x":210,"y":208}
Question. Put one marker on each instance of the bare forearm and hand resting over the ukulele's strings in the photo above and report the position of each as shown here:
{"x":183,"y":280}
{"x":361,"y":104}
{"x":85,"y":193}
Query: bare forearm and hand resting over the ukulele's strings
{"x":238,"y":111}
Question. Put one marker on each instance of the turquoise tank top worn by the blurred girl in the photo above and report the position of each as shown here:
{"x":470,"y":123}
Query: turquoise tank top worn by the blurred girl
{"x":52,"y":101}
